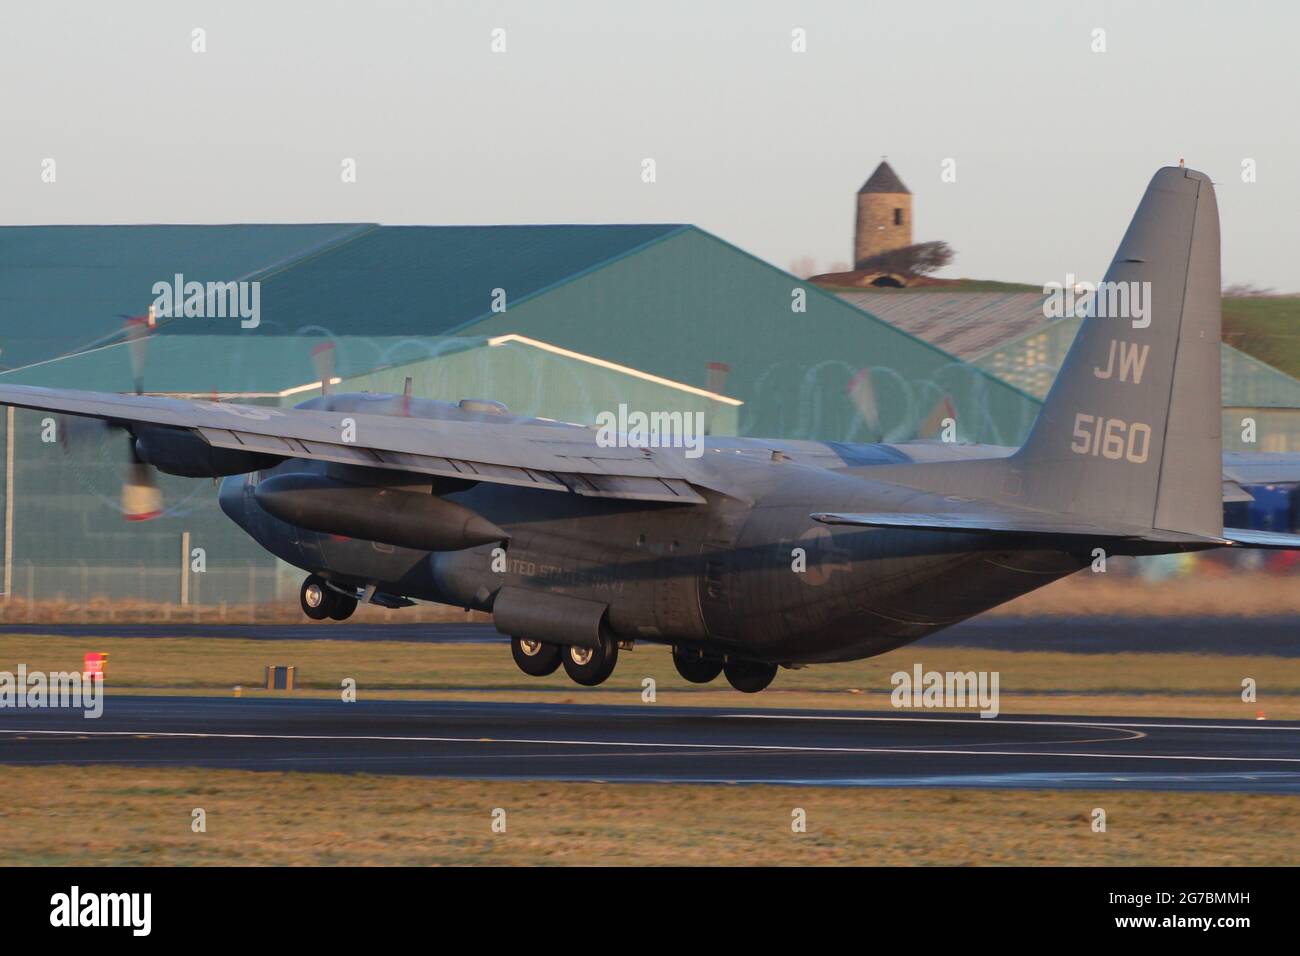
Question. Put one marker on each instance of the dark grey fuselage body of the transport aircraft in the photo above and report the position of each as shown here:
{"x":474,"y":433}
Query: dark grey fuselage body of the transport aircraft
{"x":747,"y":574}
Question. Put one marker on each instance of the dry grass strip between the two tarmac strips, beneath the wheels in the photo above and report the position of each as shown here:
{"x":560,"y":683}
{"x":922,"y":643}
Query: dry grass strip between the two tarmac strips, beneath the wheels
{"x":1030,"y":682}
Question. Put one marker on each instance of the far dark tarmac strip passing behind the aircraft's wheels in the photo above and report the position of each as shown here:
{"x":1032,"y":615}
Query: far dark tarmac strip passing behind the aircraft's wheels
{"x":1082,"y":635}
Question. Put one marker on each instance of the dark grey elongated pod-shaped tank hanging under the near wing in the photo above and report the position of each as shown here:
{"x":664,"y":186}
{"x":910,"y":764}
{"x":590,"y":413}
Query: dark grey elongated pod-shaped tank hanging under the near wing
{"x":388,"y":516}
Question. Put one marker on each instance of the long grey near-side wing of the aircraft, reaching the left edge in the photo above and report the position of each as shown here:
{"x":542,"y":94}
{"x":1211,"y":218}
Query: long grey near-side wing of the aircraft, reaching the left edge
{"x":530,"y":456}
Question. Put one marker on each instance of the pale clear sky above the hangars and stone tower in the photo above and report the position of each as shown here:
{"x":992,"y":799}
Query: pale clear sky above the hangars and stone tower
{"x":1054,"y":144}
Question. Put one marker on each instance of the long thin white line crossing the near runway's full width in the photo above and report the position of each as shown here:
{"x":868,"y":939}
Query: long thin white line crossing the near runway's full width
{"x":545,"y":742}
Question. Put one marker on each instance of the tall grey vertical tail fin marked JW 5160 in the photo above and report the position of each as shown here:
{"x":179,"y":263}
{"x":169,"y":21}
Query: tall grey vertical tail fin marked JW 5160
{"x":1130,"y":431}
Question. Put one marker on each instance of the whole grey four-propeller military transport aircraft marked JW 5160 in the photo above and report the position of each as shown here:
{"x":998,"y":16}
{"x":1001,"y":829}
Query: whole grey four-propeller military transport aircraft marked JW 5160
{"x":580,"y":550}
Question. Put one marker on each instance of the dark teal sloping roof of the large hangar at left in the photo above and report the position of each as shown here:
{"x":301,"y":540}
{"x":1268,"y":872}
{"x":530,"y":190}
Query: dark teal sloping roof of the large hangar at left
{"x":64,"y":289}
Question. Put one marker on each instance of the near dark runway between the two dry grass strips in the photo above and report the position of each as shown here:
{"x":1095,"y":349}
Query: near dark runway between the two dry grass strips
{"x":652,"y":743}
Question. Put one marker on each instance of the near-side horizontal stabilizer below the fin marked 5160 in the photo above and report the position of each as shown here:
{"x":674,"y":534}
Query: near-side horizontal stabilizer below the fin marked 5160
{"x":1003,"y":521}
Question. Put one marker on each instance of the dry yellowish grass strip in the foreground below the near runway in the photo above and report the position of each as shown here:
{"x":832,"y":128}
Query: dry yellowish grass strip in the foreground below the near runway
{"x":128,"y":816}
